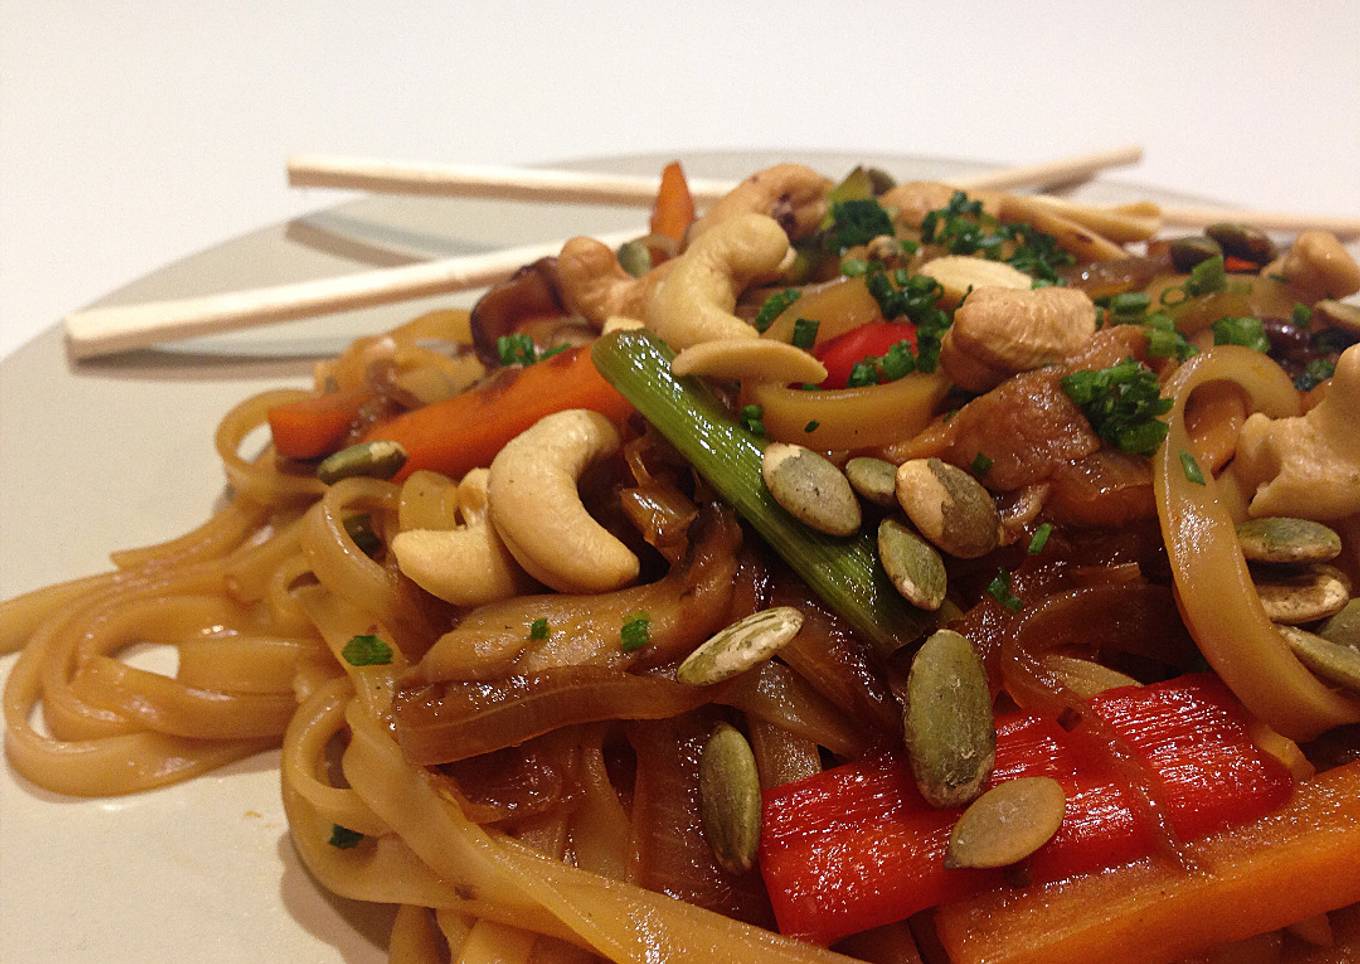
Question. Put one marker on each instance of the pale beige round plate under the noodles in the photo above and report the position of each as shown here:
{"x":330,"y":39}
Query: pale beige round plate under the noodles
{"x":118,"y":453}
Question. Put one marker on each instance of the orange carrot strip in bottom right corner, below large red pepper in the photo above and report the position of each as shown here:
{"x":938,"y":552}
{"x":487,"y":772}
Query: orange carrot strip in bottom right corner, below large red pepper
{"x":1287,"y":867}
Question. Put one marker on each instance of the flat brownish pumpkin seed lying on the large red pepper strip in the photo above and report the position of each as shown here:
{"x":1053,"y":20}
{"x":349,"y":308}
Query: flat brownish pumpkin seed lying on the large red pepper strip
{"x":1007,"y":823}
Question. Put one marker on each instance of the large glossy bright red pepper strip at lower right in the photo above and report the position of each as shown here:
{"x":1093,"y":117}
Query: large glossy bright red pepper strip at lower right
{"x":856,"y":848}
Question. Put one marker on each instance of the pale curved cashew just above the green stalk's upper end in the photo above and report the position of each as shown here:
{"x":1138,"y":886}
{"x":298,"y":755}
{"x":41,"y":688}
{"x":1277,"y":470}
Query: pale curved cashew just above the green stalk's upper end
{"x":694,"y":303}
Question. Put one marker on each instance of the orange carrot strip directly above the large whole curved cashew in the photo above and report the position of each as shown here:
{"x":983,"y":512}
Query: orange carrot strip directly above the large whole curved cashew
{"x":467,"y":432}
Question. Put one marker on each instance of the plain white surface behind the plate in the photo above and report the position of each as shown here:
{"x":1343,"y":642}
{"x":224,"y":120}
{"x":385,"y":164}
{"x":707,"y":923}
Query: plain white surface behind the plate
{"x":137,"y":134}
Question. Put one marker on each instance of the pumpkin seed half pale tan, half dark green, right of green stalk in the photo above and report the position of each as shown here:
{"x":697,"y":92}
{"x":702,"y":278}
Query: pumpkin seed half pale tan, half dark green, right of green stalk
{"x":949,"y":506}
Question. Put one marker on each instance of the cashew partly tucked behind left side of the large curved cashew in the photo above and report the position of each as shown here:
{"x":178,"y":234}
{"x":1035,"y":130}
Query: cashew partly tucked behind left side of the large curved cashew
{"x":469,"y":566}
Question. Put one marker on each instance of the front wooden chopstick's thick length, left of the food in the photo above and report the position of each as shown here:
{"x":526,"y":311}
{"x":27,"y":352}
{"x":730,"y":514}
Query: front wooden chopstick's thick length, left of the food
{"x":105,"y":331}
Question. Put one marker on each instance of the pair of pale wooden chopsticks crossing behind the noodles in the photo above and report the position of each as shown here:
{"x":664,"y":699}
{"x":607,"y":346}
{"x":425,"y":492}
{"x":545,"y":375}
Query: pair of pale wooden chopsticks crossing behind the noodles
{"x":114,"y":330}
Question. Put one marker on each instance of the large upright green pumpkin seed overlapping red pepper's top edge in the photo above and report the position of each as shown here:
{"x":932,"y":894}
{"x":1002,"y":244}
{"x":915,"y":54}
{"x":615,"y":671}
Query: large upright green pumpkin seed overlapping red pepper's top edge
{"x":950,"y":732}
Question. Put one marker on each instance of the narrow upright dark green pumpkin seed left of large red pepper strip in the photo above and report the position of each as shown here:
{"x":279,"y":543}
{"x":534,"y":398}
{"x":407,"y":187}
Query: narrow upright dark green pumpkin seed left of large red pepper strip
{"x":730,"y":799}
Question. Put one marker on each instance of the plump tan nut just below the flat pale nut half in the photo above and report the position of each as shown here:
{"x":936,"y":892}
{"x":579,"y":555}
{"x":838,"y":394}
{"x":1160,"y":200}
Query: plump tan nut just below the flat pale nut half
{"x":1015,"y":331}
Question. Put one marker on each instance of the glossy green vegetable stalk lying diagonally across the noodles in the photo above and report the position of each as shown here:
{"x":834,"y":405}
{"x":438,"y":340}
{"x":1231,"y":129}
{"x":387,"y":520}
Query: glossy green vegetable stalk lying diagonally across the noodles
{"x":844,"y":572}
